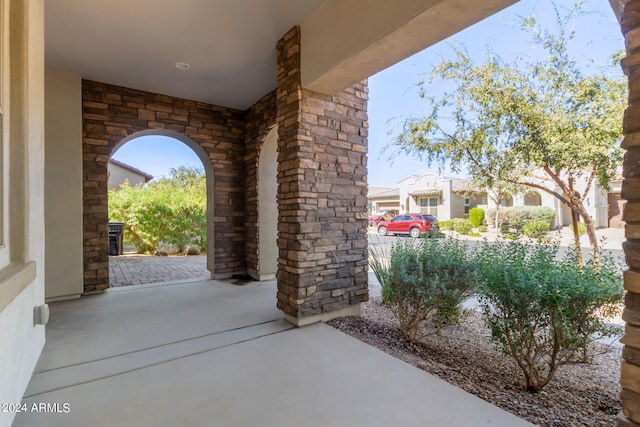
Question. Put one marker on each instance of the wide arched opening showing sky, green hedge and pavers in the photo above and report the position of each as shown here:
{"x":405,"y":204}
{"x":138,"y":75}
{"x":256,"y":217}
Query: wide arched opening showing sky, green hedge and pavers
{"x":173,"y":159}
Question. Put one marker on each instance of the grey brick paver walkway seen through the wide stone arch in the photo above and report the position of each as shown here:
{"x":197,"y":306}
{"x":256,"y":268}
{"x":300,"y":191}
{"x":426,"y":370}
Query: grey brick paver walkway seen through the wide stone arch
{"x":128,"y":270}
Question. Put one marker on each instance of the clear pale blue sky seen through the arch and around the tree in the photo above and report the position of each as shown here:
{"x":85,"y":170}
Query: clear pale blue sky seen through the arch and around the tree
{"x":393,"y":95}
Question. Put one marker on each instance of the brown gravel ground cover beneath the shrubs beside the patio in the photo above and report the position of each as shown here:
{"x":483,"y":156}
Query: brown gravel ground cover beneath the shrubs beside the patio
{"x":580,"y":395}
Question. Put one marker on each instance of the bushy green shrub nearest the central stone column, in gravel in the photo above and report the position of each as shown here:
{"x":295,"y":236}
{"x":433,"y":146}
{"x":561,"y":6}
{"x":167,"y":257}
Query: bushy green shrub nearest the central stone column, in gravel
{"x":424,"y":282}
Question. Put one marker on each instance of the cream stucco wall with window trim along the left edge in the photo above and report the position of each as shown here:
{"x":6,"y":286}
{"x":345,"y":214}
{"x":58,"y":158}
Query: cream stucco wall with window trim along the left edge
{"x":22,"y":281}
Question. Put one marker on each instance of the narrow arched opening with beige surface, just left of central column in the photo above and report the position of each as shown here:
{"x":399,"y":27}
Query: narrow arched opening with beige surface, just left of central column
{"x":268,"y":208}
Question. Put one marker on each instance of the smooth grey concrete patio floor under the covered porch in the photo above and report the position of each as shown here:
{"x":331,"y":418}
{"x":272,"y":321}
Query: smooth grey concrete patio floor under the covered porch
{"x":211,"y":353}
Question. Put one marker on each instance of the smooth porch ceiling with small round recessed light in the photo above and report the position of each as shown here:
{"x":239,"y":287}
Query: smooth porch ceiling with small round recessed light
{"x":229,"y":44}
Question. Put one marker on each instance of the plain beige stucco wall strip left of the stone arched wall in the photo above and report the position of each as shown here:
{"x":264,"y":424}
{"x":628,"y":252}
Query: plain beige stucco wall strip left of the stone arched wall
{"x":63,"y":173}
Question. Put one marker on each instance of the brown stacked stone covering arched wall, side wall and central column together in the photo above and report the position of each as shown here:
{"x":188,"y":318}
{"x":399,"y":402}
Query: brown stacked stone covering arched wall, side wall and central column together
{"x":322,"y":187}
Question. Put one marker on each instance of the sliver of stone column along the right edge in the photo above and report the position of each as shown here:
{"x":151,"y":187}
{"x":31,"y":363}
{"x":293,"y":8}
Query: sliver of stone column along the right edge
{"x":630,"y":376}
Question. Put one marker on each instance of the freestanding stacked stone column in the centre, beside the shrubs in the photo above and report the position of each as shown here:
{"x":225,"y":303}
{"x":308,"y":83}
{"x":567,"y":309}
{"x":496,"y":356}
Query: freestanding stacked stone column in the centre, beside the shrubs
{"x":322,"y":195}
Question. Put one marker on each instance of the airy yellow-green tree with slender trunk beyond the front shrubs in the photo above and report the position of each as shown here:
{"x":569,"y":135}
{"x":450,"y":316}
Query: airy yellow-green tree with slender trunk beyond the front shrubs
{"x":512,"y":123}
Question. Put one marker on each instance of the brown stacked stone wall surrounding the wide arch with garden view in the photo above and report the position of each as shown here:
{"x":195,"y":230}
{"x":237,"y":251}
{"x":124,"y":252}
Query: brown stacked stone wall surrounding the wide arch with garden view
{"x":112,"y":113}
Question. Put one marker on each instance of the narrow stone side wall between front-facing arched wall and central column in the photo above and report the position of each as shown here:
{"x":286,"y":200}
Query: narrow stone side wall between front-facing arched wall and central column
{"x":260,"y":119}
